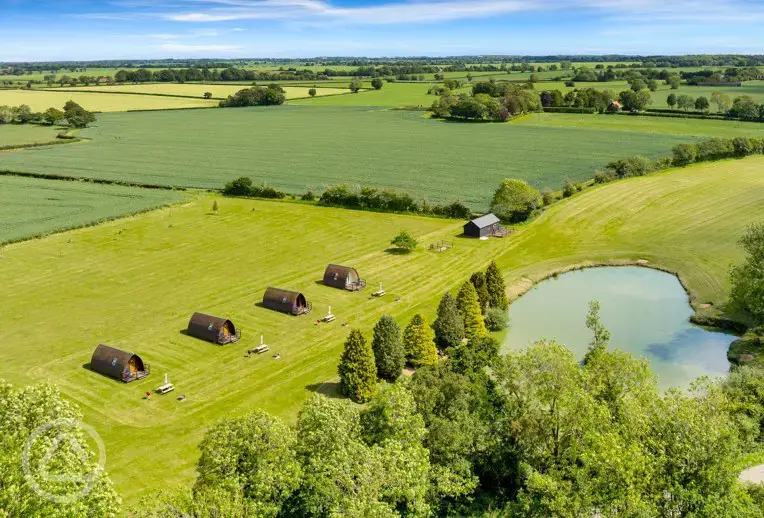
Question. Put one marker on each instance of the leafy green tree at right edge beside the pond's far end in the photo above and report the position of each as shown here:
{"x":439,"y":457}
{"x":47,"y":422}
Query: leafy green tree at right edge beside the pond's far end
{"x":747,"y":279}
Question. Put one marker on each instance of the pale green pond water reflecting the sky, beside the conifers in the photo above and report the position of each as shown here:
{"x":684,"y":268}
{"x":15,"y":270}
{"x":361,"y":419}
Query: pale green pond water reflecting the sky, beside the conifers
{"x":647,"y":312}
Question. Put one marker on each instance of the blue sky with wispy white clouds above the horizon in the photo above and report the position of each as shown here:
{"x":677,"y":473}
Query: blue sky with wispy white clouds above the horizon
{"x":45,"y":30}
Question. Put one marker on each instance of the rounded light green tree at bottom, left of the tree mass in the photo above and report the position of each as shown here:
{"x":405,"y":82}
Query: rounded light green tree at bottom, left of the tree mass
{"x":254,"y":455}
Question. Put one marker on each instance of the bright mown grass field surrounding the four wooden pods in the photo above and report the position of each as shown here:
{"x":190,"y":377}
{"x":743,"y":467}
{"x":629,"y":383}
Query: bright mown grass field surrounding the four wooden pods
{"x":111,"y":285}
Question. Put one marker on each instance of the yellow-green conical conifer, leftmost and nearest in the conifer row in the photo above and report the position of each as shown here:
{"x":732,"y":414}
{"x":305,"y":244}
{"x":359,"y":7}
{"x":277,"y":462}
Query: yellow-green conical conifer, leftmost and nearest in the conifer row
{"x":357,"y":370}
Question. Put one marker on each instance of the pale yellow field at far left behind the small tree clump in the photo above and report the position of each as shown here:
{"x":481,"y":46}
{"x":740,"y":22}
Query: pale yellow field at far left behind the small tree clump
{"x":41,"y":100}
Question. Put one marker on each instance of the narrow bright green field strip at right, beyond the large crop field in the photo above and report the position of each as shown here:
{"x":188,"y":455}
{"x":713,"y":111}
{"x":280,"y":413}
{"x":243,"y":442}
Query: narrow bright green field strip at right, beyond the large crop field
{"x":704,"y":128}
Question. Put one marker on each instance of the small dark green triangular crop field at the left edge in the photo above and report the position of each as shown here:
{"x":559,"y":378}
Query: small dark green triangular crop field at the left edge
{"x":32,"y":207}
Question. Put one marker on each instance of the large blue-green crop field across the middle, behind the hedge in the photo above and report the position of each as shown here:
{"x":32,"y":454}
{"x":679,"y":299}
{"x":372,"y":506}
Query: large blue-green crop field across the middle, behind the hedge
{"x":299,"y":148}
